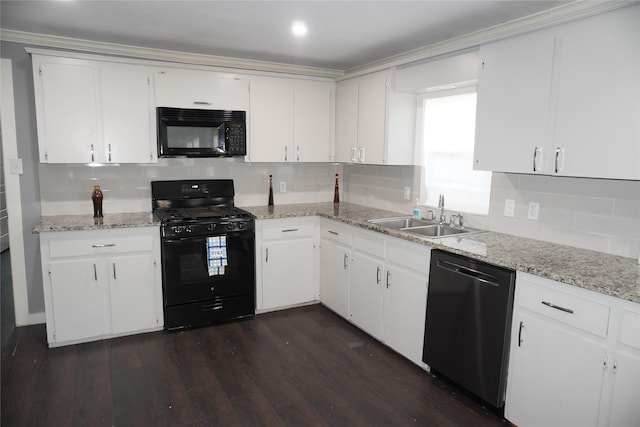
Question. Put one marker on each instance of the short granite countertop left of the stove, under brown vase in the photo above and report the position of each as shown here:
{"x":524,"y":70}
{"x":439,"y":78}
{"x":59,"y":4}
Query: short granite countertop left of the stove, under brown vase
{"x":88,"y":222}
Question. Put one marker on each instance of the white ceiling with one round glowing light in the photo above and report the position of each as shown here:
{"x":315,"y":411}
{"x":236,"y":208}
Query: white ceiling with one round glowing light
{"x":342,"y":34}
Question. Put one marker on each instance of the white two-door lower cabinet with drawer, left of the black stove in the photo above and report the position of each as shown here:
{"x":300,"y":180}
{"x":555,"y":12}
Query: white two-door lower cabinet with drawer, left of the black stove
{"x":101,"y":283}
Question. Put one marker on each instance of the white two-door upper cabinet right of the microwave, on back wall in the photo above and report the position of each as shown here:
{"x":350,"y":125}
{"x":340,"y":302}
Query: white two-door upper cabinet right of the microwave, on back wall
{"x":290,"y":120}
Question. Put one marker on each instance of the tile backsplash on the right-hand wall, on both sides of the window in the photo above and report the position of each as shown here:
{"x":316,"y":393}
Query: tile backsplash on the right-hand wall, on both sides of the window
{"x":597,"y":214}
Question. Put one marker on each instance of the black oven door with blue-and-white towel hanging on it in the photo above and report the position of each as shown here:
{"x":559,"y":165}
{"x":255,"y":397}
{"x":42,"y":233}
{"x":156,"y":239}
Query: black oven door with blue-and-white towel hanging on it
{"x":204,"y":268}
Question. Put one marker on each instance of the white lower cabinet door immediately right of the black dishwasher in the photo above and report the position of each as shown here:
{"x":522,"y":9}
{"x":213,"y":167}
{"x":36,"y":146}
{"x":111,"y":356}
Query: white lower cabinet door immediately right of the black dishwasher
{"x":555,"y":375}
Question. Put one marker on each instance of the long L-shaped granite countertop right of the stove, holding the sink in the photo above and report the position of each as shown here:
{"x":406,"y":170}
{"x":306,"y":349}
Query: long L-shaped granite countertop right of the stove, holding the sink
{"x":607,"y":274}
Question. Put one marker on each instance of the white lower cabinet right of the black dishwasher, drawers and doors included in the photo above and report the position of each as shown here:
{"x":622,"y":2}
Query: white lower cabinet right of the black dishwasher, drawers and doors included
{"x":567,"y":366}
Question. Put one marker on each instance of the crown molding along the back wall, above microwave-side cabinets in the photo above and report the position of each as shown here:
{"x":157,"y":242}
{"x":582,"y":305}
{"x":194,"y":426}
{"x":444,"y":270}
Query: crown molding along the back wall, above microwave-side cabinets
{"x":137,"y":52}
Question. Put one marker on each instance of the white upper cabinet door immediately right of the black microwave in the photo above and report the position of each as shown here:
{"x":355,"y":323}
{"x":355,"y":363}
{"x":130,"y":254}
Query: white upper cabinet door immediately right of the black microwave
{"x":271,"y":120}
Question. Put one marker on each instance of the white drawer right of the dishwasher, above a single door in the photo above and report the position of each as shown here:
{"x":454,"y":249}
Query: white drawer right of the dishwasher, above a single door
{"x":573,"y":310}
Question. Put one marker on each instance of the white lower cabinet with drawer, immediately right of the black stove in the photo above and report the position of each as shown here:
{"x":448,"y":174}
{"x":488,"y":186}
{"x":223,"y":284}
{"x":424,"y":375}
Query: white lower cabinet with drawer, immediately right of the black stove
{"x":286,"y":262}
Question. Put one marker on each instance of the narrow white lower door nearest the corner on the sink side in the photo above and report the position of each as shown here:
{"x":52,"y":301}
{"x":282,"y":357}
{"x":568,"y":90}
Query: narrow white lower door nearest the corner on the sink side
{"x":334,"y":276}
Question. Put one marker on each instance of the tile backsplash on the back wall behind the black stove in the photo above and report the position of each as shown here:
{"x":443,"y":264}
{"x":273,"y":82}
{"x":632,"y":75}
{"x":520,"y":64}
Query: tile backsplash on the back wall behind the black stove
{"x":66,"y":189}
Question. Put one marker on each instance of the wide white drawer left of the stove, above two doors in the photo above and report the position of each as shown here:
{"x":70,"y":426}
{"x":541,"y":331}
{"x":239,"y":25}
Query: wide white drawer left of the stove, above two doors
{"x":99,"y":245}
